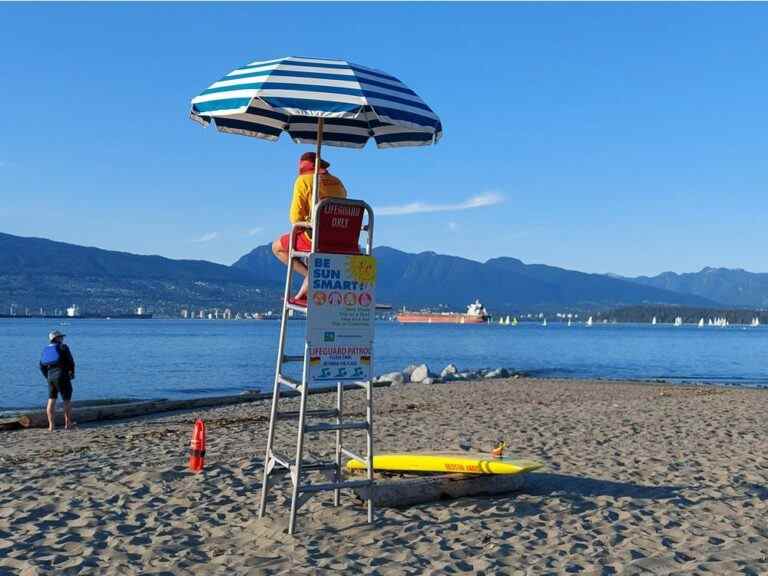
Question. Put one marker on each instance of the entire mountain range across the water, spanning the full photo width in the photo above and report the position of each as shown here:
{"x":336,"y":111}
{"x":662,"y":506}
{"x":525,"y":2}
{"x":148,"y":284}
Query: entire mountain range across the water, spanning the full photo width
{"x":38,"y":273}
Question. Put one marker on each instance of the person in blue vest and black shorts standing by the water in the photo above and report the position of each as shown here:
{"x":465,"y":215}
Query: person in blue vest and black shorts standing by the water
{"x":58,"y":368}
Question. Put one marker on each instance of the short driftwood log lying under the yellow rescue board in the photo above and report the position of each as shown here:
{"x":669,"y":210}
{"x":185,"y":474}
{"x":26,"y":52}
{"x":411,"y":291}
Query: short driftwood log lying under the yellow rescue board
{"x":403,"y":492}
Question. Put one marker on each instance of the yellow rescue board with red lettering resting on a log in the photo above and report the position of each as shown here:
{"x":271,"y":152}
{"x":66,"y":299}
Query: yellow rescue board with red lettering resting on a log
{"x":462,"y":463}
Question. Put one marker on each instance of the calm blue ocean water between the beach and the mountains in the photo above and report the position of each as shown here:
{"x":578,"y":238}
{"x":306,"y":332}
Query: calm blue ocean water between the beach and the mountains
{"x":191,"y":358}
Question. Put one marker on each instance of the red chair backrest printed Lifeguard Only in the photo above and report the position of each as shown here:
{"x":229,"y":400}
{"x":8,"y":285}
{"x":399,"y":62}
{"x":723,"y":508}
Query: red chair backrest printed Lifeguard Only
{"x":337,"y":225}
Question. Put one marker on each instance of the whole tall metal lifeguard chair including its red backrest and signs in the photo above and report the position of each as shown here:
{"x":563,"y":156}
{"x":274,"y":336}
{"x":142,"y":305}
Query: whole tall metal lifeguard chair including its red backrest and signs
{"x":335,"y":230}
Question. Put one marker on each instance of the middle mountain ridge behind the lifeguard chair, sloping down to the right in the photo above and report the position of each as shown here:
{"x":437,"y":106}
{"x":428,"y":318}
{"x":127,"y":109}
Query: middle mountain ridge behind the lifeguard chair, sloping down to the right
{"x":434,"y":280}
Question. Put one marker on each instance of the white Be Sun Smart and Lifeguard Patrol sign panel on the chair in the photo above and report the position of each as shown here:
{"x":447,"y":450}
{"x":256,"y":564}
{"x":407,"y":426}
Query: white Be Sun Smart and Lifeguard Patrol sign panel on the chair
{"x":340,"y":316}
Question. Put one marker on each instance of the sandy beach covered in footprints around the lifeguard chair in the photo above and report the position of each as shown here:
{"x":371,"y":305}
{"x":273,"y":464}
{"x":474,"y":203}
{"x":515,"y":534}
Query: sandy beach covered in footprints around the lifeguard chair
{"x":638,"y":479}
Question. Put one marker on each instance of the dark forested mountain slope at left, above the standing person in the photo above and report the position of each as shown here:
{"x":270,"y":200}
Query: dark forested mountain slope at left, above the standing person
{"x":37,"y":273}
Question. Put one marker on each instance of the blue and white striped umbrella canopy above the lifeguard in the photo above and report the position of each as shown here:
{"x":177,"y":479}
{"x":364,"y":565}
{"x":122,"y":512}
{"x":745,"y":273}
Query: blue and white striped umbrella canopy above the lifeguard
{"x":291,"y":94}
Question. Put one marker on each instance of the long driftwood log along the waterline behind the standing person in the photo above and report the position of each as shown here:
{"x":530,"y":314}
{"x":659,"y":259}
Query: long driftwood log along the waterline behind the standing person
{"x":134,"y":409}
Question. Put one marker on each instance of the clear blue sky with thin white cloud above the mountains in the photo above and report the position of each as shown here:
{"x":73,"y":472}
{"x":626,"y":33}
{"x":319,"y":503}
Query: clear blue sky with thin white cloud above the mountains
{"x":601,"y":137}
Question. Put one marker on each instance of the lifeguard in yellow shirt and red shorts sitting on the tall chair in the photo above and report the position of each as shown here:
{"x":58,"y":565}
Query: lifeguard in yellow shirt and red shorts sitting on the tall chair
{"x":301,"y":211}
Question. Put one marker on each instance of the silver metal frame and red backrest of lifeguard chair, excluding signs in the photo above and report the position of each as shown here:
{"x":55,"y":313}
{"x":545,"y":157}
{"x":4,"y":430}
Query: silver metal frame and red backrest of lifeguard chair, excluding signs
{"x":328,"y":237}
